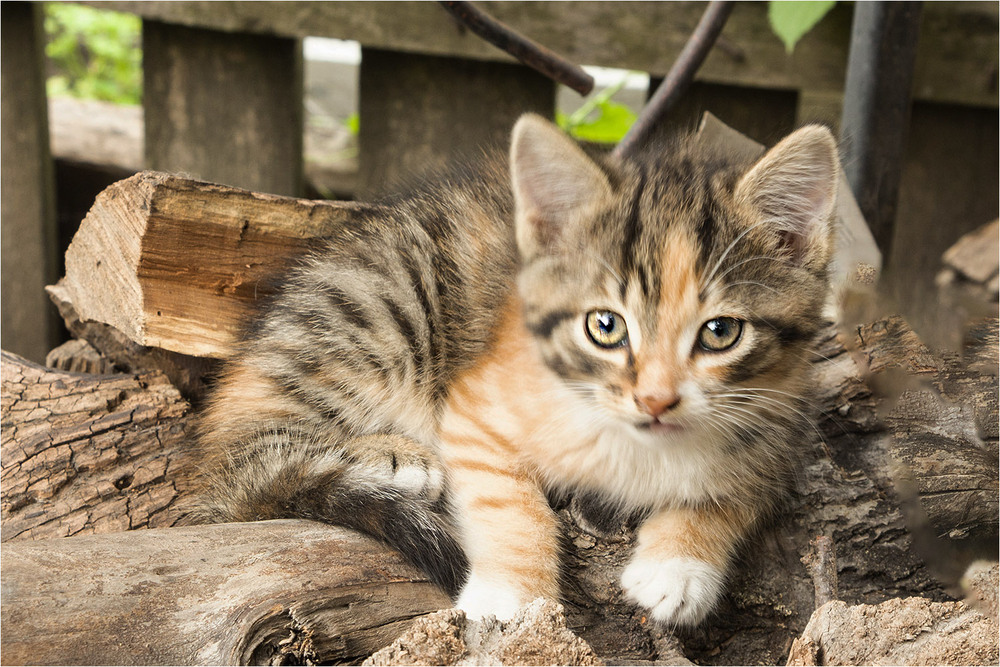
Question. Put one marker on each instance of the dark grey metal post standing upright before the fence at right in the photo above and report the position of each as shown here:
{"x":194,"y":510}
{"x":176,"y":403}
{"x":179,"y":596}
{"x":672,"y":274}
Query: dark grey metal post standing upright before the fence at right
{"x":876,"y":116}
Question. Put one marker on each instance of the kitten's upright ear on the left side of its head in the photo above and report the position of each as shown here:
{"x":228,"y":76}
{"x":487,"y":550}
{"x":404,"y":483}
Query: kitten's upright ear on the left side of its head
{"x":555,"y":184}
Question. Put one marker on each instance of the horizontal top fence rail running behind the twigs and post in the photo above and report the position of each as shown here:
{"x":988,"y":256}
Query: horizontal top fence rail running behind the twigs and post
{"x":956,"y":62}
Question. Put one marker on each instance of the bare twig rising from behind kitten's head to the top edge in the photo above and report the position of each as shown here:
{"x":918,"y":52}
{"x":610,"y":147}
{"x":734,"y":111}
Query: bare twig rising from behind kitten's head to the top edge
{"x":680,"y":76}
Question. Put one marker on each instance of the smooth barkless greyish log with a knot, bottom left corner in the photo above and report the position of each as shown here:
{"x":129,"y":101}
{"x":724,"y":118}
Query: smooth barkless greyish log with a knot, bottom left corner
{"x":265,"y":593}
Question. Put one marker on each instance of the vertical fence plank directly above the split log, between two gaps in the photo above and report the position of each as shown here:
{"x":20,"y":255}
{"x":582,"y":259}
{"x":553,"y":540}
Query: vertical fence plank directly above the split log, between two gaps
{"x":224,"y":107}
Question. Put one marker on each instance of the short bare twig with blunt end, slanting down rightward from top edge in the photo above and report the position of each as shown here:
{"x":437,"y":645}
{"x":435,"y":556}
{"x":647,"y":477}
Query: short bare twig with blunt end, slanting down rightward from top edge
{"x":530,"y":53}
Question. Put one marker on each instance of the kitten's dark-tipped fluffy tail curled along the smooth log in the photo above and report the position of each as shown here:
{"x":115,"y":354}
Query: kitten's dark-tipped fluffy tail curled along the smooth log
{"x":273,"y":478}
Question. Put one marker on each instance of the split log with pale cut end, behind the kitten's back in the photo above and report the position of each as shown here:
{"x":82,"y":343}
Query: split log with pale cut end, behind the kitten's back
{"x":175,"y":263}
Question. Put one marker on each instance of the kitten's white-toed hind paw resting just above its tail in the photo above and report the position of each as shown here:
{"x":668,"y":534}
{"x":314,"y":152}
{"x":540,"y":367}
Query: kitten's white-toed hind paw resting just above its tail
{"x":401,"y":463}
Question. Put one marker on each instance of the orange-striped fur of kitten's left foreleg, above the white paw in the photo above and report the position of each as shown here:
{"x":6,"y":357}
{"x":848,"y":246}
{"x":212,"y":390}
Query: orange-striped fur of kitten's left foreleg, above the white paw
{"x":511,"y":532}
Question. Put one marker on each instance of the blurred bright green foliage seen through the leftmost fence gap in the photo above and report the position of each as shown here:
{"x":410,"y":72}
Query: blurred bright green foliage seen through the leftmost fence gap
{"x":93,"y":54}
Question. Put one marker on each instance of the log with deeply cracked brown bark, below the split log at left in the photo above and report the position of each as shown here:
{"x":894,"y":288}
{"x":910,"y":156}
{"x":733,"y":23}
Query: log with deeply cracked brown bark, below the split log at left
{"x":89,"y":453}
